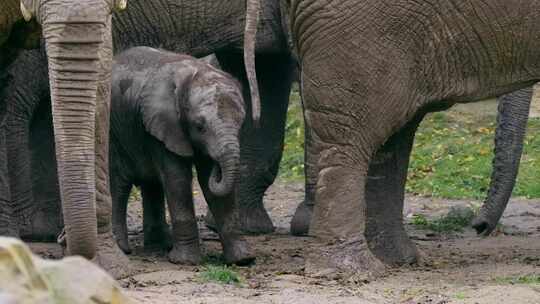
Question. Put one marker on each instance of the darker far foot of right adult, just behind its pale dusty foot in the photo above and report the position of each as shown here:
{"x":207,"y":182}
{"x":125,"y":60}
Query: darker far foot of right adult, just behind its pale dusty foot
{"x":393,"y":247}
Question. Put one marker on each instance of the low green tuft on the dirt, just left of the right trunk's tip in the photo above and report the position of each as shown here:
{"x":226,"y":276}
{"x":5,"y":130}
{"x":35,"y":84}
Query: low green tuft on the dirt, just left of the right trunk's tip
{"x":454,"y":221}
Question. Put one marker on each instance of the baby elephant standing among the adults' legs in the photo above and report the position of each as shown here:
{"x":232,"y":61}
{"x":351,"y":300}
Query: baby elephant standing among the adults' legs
{"x":168,"y":113}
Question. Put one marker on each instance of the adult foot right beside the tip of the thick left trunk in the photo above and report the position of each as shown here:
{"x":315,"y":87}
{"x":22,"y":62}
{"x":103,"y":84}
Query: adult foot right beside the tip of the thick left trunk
{"x":110,"y":257}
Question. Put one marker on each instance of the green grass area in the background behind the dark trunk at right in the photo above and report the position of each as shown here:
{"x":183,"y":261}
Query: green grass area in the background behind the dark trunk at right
{"x":453,"y":152}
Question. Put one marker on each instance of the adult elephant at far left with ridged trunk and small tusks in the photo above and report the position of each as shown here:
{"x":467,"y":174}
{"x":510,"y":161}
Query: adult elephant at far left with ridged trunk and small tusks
{"x":78,"y":44}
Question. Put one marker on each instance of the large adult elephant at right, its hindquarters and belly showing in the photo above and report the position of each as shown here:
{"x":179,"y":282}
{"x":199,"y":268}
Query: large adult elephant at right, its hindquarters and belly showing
{"x":370,"y":70}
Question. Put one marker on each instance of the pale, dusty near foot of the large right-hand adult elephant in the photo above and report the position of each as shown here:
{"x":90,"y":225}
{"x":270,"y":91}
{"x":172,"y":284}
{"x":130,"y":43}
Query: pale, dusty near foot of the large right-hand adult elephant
{"x":344,"y":259}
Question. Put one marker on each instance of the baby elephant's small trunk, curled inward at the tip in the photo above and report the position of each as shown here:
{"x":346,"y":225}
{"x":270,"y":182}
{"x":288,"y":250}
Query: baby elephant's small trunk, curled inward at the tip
{"x":226,"y":167}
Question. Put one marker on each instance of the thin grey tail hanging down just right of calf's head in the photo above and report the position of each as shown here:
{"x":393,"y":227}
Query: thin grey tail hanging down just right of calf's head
{"x":253,"y":8}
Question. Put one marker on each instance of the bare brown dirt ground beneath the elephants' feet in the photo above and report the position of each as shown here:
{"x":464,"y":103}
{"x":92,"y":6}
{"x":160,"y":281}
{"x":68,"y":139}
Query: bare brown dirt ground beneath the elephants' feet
{"x":458,"y":268}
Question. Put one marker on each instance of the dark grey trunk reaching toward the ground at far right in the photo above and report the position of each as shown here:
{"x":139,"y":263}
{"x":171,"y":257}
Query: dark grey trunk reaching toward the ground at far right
{"x":511,"y":126}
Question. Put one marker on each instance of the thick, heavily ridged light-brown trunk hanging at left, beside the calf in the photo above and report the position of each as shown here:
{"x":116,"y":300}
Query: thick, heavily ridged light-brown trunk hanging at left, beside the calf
{"x":74,"y":67}
